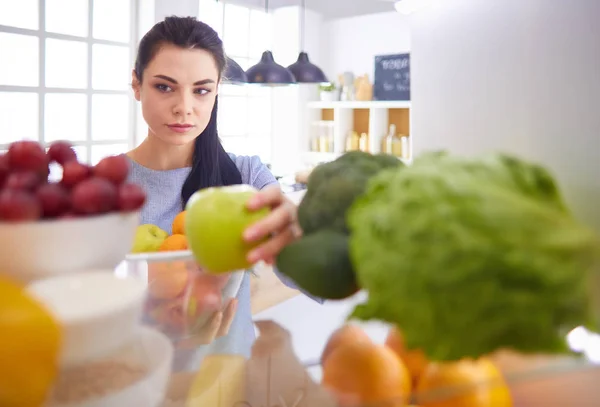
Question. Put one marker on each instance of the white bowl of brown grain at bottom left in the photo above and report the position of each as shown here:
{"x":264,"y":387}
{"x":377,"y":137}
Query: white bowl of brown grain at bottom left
{"x":136,"y":375}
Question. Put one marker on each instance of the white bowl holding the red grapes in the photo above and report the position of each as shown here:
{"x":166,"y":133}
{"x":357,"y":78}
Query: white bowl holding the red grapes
{"x":32,"y":250}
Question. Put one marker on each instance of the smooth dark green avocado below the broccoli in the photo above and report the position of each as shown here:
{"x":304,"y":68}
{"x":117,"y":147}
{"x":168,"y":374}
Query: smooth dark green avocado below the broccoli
{"x":319,"y":263}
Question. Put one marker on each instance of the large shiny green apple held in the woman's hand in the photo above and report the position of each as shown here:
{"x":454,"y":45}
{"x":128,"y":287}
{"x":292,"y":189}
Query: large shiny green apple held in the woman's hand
{"x":214,"y":224}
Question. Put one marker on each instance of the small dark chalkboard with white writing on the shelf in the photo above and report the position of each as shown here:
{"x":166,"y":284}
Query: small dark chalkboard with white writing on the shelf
{"x":392,"y":77}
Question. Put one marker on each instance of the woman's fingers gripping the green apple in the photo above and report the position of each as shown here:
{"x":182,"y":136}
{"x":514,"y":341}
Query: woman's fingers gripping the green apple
{"x":281,"y":224}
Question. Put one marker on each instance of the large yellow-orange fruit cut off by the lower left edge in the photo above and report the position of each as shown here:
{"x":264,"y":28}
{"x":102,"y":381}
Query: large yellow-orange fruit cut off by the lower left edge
{"x":30,"y":341}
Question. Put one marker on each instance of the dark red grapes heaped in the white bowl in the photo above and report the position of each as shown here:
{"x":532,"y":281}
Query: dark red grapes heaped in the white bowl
{"x":26,"y":194}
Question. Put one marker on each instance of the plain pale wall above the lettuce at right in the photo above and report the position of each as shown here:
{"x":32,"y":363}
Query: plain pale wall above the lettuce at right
{"x":513,"y":75}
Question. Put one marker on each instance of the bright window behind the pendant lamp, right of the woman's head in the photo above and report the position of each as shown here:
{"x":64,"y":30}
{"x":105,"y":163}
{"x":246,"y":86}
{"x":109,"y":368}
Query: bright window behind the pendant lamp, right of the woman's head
{"x":244,"y":110}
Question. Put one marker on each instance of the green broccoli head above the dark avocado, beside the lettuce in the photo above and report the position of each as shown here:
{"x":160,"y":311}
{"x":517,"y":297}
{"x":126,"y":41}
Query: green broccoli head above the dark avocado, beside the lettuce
{"x":333,"y":186}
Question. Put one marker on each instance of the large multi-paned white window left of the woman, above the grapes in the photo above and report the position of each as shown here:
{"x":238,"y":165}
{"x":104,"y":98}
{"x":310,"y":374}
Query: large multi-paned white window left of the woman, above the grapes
{"x":66,"y":74}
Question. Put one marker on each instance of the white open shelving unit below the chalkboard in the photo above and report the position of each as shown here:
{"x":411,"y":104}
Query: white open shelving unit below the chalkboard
{"x":371,"y":117}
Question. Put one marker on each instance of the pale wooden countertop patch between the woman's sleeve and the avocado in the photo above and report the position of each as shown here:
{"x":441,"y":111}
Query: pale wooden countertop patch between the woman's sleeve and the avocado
{"x":267,"y":290}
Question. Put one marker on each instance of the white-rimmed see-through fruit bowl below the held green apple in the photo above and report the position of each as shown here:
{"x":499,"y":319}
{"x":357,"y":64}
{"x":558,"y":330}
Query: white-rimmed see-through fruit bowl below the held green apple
{"x":181,"y":298}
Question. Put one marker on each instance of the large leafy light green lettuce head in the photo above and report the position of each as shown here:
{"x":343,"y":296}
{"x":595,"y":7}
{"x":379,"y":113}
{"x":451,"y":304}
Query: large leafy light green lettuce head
{"x":468,"y":256}
